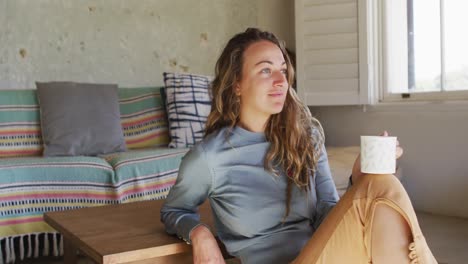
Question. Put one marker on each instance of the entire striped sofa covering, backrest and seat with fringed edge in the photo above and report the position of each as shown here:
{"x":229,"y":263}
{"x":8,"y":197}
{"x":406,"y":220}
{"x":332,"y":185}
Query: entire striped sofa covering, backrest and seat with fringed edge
{"x":31,"y":185}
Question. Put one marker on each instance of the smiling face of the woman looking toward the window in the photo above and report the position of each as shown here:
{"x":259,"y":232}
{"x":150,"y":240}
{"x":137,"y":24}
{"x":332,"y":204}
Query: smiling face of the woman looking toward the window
{"x":264,"y":85}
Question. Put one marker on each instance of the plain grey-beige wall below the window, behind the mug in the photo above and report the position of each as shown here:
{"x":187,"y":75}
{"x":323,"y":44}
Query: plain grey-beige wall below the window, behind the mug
{"x":434,"y":164}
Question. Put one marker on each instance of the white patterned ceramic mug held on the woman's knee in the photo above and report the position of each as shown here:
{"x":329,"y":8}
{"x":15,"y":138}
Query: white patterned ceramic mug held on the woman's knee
{"x":378,"y":154}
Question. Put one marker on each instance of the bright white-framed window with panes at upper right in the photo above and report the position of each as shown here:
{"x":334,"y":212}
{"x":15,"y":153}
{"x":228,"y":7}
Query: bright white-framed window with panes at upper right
{"x":419,"y":50}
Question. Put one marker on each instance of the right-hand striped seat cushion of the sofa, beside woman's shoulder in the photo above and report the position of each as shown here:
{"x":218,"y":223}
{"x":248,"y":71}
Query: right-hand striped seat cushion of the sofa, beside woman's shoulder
{"x":145,"y":173}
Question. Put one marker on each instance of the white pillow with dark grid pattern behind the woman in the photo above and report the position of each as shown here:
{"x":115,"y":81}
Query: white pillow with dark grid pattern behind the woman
{"x":188,"y":104}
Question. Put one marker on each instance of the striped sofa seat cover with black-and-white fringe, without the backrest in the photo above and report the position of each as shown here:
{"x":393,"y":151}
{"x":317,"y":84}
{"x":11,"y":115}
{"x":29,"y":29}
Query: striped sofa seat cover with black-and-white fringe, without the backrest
{"x":31,"y":186}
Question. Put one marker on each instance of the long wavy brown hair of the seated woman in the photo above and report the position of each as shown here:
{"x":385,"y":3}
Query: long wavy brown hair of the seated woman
{"x":295,"y":136}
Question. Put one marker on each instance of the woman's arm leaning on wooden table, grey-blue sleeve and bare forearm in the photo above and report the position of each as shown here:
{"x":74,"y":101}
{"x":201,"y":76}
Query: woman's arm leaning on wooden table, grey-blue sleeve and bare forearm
{"x":180,"y":211}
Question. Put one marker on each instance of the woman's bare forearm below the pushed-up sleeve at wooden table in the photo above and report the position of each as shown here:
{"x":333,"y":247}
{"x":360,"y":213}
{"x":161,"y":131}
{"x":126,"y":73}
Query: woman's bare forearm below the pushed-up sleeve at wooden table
{"x":205,"y":248}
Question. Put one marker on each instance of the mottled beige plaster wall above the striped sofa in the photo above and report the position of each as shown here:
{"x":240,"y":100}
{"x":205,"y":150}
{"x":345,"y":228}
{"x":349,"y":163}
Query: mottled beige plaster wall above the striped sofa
{"x":128,"y":42}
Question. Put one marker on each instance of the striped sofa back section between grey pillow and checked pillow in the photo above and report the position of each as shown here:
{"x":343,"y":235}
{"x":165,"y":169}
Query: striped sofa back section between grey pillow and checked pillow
{"x":143,"y":117}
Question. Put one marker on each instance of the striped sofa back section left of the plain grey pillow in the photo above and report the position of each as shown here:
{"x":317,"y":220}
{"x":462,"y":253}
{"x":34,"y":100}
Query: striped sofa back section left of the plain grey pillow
{"x":20,"y":133}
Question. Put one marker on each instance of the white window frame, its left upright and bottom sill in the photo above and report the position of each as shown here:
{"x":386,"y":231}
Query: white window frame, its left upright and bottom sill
{"x":372,"y":49}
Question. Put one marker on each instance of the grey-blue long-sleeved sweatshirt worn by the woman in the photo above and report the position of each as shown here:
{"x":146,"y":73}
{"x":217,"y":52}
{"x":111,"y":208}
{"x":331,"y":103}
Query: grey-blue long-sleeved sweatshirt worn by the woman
{"x":248,"y":202}
